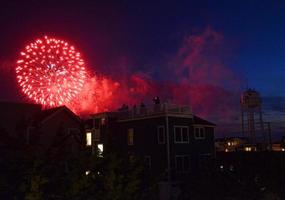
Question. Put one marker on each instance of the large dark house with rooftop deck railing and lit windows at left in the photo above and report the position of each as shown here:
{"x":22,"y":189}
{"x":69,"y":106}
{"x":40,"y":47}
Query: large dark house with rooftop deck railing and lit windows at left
{"x":169,"y":138}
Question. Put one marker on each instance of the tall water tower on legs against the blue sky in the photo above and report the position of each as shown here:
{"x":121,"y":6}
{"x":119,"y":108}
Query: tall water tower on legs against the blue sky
{"x":251,"y":114}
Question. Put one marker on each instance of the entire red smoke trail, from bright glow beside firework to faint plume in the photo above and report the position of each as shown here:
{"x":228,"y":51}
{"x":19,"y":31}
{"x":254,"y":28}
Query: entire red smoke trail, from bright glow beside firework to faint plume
{"x":198,"y":77}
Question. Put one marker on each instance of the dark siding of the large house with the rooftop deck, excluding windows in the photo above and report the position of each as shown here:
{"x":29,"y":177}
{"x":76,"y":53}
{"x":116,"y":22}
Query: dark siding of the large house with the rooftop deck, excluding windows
{"x":115,"y":132}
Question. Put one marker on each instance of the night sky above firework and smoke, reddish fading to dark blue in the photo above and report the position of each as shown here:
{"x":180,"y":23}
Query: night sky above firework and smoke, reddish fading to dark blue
{"x":146,"y":33}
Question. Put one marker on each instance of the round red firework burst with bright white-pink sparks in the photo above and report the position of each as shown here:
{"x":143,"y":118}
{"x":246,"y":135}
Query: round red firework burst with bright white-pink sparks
{"x":51,"y":72}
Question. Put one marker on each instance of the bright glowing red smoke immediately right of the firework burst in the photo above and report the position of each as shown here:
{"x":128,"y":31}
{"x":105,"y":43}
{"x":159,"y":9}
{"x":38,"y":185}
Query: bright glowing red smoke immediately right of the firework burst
{"x":105,"y":94}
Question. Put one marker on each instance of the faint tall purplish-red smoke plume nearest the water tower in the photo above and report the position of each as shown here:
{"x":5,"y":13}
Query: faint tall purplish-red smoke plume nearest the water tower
{"x":203,"y":80}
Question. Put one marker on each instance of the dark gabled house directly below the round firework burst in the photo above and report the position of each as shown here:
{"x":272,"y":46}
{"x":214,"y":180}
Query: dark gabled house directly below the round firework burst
{"x":57,"y":128}
